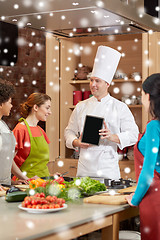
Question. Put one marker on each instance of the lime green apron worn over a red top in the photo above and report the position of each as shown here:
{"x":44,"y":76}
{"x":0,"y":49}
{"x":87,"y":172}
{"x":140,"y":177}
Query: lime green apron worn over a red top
{"x":36,"y":162}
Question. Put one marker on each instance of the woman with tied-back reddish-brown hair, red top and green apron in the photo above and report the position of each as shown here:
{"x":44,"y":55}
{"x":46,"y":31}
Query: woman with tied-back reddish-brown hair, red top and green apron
{"x":32,"y":150}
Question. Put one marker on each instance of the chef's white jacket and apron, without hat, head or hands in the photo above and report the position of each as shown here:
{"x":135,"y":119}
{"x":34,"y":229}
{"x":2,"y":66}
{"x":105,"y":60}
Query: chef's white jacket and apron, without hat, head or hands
{"x":102,"y":160}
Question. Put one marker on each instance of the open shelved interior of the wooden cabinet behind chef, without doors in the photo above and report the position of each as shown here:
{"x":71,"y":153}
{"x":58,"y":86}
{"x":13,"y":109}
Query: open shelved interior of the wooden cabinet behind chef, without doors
{"x":131,"y":61}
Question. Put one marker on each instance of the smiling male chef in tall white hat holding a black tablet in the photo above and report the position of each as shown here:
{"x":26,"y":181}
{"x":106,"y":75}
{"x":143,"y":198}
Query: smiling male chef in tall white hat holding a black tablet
{"x":119,"y":127}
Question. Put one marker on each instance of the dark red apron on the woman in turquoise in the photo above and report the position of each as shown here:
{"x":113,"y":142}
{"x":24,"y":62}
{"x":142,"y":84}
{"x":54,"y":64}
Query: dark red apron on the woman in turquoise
{"x":150,"y":205}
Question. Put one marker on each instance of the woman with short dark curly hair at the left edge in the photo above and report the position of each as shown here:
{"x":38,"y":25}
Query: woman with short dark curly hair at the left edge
{"x":7,"y":140}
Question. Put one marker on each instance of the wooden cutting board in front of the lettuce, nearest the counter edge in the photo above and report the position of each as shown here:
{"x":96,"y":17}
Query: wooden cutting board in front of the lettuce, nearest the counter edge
{"x":106,"y":199}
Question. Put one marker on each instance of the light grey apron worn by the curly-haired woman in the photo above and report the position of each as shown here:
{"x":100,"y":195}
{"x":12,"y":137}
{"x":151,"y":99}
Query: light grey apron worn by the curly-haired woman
{"x":6,"y":155}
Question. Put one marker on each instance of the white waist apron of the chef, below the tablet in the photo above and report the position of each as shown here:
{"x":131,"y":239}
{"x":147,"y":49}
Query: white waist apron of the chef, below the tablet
{"x":101,"y":161}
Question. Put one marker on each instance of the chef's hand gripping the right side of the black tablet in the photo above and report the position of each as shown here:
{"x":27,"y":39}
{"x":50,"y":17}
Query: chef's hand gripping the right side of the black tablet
{"x":105,"y":133}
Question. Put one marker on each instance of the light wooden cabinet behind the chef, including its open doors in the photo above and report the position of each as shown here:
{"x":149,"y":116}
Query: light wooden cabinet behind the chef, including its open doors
{"x":136,"y":50}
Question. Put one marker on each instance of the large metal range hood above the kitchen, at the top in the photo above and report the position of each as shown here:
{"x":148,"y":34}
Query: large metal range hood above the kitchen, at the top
{"x":75,"y":18}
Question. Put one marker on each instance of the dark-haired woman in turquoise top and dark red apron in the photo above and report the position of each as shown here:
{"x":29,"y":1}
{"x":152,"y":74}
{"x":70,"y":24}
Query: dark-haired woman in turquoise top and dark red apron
{"x":147,"y":163}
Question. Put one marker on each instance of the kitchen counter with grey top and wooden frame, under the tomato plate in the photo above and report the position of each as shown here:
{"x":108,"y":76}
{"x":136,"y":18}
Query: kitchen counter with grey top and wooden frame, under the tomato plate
{"x":78,"y":219}
